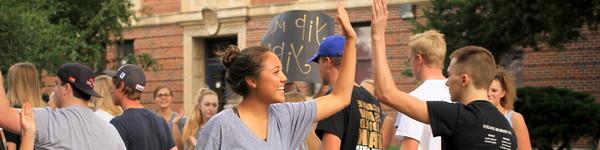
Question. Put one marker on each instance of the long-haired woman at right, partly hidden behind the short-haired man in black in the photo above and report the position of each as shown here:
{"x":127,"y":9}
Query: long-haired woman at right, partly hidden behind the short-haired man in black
{"x":502,"y":93}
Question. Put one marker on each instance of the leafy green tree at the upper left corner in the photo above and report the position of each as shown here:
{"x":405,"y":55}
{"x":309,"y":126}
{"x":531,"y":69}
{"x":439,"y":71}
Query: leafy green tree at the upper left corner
{"x":49,"y":33}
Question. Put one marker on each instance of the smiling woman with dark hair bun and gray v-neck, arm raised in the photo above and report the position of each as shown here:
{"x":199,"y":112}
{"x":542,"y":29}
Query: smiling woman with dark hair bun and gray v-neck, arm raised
{"x":262,"y":120}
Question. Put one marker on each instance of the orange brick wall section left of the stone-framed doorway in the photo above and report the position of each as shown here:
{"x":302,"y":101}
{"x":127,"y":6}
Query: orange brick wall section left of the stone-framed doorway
{"x":165,"y":44}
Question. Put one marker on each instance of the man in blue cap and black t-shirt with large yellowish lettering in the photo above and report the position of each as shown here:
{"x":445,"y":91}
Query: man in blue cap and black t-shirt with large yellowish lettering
{"x":357,"y":126}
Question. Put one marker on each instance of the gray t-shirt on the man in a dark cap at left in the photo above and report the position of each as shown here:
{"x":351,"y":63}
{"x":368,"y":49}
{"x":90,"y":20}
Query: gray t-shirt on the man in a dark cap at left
{"x":74,"y":127}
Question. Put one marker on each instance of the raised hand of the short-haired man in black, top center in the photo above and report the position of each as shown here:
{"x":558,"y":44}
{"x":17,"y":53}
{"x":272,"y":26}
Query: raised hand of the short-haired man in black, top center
{"x":379,"y":18}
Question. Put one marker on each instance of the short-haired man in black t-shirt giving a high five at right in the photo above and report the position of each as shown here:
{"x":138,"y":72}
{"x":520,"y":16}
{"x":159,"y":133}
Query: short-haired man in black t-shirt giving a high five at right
{"x":473,"y":122}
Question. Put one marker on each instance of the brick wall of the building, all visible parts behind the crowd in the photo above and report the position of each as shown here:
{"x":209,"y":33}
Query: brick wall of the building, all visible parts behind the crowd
{"x":578,"y":67}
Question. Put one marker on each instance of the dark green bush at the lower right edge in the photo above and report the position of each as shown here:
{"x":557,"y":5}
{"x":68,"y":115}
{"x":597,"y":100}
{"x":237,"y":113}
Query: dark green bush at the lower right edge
{"x":558,"y":116}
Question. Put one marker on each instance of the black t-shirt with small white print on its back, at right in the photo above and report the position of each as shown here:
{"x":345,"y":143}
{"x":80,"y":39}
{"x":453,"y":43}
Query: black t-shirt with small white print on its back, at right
{"x":477,"y":125}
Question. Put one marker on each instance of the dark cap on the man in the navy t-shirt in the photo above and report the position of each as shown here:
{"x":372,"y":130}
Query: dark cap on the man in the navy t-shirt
{"x":132,"y":75}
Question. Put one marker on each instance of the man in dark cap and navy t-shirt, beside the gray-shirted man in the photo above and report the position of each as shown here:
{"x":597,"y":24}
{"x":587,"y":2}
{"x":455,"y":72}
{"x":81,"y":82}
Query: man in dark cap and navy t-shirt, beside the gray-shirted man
{"x":140,"y":128}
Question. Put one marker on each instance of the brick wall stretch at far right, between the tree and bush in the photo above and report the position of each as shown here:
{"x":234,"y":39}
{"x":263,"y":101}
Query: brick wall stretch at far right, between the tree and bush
{"x":577,"y":67}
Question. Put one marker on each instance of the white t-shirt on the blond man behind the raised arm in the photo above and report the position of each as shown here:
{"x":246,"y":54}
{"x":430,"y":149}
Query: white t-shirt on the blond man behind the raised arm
{"x":430,"y":90}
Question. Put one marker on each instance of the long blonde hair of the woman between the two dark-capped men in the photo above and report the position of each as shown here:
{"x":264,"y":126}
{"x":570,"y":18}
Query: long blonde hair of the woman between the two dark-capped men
{"x":104,"y":87}
